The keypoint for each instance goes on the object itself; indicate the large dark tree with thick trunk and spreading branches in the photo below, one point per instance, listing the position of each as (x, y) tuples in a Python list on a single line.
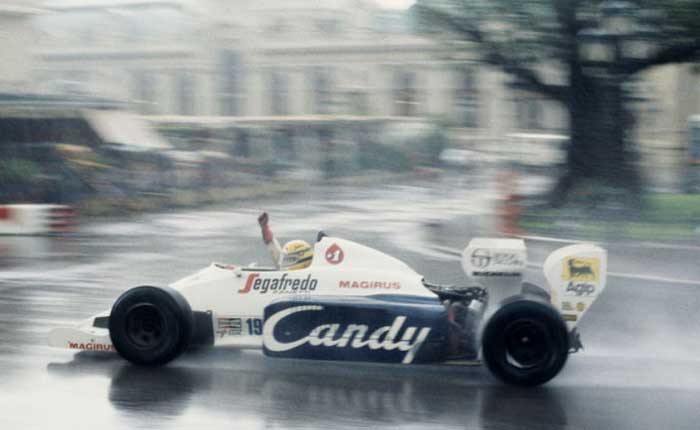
[(524, 38)]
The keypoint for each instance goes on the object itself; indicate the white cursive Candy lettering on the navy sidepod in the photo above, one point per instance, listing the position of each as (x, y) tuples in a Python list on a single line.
[(350, 336)]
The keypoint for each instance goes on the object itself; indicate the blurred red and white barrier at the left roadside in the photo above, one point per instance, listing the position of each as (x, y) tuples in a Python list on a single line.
[(30, 219)]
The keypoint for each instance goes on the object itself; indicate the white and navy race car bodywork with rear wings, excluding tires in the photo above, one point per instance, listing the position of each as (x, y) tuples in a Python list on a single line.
[(356, 303)]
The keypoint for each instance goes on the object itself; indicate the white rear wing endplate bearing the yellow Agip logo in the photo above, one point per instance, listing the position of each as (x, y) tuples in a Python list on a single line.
[(576, 275)]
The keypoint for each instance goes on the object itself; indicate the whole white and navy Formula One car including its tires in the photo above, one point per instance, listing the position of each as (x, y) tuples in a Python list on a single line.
[(354, 303)]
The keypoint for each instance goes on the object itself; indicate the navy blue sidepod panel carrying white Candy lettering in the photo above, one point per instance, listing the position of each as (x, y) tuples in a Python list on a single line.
[(380, 328)]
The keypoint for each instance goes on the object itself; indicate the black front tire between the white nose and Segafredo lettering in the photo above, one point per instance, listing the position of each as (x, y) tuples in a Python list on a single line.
[(151, 325)]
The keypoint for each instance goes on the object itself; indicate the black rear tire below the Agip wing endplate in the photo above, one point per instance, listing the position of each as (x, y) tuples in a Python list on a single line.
[(525, 342)]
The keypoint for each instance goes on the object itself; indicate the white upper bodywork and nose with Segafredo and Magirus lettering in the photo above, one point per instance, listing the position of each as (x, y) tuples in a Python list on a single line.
[(236, 295)]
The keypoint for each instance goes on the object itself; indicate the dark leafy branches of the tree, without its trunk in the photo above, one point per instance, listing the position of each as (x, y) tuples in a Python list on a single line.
[(520, 35)]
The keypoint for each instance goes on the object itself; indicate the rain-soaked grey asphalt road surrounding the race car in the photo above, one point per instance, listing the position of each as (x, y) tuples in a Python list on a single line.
[(640, 369)]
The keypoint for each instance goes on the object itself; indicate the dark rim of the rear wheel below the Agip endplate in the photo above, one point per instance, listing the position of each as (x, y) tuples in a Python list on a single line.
[(527, 344)]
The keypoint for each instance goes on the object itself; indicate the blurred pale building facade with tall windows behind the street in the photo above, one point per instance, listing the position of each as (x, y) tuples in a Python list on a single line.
[(295, 58)]
